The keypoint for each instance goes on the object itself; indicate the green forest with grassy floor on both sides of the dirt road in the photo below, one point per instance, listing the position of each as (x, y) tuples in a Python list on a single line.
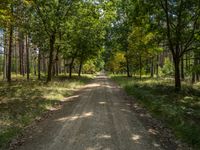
[(150, 48)]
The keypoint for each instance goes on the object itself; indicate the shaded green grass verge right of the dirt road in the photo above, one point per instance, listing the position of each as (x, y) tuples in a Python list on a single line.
[(180, 111)]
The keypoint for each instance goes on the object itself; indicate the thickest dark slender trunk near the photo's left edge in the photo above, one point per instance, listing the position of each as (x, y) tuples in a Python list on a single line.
[(10, 54)]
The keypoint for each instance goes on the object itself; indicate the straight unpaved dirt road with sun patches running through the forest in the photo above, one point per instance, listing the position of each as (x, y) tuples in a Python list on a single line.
[(97, 118)]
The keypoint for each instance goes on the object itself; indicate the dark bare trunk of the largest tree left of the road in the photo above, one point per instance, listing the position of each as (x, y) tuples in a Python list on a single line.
[(52, 42)]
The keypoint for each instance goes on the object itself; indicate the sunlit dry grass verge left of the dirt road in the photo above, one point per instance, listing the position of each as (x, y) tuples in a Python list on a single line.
[(21, 102)]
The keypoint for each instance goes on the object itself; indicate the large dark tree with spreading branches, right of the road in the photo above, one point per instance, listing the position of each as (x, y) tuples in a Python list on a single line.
[(182, 19)]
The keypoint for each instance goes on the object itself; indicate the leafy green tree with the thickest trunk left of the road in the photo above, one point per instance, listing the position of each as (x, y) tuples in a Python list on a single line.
[(52, 15)]
